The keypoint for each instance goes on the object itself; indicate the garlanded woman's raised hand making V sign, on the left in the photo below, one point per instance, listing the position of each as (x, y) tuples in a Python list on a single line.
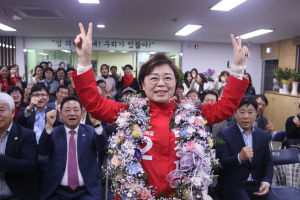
[(83, 43)]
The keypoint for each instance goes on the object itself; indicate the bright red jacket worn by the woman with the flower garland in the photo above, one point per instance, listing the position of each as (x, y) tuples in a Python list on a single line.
[(159, 153)]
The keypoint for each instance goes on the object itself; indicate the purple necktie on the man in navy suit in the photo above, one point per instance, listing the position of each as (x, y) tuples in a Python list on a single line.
[(73, 180)]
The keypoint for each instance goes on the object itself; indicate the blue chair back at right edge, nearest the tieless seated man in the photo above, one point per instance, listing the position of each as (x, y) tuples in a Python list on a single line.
[(285, 156)]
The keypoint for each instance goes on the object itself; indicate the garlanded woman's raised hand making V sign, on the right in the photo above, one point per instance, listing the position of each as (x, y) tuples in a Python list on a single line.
[(239, 52)]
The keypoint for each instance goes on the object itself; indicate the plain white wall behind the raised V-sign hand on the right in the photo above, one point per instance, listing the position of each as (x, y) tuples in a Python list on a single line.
[(216, 55)]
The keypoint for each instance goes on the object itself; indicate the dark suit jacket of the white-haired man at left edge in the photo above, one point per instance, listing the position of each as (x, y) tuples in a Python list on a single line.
[(19, 163)]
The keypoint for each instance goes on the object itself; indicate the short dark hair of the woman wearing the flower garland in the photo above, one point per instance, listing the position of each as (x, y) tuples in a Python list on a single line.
[(155, 61)]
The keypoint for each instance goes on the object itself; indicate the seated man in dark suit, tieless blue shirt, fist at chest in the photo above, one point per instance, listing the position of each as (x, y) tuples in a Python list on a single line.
[(247, 168)]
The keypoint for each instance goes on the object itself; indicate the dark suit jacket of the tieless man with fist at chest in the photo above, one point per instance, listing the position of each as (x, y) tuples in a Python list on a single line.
[(233, 173)]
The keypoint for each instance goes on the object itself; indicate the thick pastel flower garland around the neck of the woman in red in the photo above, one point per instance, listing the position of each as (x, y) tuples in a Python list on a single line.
[(196, 158)]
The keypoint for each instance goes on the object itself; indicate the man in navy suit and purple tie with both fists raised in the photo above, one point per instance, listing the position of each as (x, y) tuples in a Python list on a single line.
[(72, 171)]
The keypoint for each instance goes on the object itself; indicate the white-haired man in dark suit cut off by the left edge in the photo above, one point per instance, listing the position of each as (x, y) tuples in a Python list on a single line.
[(18, 156)]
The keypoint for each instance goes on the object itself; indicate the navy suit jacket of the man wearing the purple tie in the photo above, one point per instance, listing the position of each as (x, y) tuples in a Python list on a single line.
[(55, 145)]
